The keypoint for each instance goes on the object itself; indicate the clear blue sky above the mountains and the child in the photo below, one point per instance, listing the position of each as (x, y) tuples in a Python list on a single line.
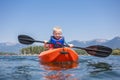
[(79, 19)]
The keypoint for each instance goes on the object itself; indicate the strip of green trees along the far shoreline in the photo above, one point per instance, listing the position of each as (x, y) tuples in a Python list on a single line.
[(35, 50)]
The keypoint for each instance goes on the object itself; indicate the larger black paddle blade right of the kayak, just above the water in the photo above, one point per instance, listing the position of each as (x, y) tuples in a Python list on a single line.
[(99, 51)]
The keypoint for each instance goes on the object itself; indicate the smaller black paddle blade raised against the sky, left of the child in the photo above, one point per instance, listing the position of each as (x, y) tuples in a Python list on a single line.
[(24, 39)]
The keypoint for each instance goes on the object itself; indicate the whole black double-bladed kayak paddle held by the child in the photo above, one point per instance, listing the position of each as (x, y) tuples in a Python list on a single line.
[(95, 50)]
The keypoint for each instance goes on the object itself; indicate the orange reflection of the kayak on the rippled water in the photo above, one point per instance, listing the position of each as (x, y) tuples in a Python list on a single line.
[(55, 71)]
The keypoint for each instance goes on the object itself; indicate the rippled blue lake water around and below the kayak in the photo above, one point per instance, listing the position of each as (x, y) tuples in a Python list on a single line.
[(88, 68)]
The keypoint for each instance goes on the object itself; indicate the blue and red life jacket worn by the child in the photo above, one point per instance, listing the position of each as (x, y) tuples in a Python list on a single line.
[(56, 43)]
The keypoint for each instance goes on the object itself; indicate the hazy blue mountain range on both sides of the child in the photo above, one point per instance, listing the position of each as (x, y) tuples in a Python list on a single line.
[(113, 43)]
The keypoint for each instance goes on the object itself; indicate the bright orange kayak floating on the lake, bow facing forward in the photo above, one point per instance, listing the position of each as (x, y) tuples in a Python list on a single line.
[(58, 55)]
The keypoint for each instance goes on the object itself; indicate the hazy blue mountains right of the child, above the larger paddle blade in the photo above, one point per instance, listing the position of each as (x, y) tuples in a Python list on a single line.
[(113, 43)]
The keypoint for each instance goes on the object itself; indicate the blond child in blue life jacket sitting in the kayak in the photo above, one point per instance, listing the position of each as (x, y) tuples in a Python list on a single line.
[(56, 40)]
